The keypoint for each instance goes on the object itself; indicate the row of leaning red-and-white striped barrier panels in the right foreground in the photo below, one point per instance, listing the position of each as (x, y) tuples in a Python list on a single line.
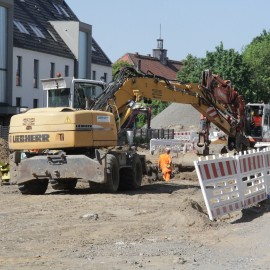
[(233, 183)]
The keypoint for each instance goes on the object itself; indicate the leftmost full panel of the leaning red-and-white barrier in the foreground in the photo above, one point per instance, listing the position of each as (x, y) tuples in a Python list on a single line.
[(219, 183)]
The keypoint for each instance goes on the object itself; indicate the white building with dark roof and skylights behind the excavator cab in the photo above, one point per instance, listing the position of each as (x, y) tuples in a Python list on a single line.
[(39, 39)]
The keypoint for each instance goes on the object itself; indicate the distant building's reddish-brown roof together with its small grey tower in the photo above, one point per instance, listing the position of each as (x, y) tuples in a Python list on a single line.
[(158, 64)]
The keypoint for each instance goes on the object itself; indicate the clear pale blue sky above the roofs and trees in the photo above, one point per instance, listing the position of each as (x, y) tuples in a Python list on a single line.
[(187, 26)]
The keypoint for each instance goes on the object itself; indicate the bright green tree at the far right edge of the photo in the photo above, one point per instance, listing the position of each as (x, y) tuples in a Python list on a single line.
[(257, 56)]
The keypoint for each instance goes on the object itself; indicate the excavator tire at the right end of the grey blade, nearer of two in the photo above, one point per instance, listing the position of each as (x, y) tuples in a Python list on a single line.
[(112, 168)]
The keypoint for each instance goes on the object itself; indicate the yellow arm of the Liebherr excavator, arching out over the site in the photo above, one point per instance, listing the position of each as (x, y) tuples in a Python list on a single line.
[(213, 97)]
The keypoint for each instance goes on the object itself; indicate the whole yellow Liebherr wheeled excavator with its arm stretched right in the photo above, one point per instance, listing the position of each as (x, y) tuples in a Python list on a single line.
[(76, 136)]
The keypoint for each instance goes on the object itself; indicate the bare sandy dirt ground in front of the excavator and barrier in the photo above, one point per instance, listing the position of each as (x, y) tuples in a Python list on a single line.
[(160, 226)]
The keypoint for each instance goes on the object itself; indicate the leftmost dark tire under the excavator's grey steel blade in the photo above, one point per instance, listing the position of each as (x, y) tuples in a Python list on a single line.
[(34, 187)]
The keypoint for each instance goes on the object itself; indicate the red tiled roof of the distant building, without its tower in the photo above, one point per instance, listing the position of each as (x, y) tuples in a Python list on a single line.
[(152, 64)]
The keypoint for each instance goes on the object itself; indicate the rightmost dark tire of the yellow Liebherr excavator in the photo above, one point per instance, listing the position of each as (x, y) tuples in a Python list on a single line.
[(131, 178)]
